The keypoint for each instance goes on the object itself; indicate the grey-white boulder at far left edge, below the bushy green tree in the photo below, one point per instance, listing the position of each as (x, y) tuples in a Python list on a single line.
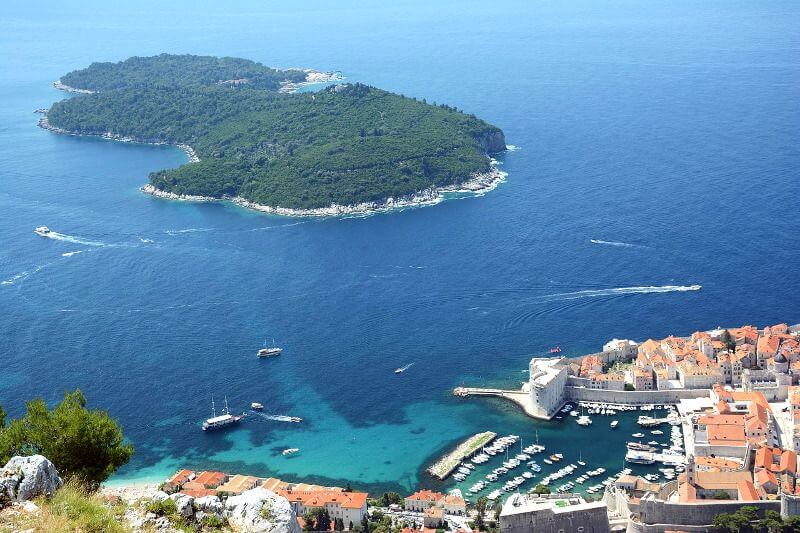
[(24, 478)]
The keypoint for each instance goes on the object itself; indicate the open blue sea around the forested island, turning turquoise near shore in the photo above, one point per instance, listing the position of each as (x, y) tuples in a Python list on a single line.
[(657, 148)]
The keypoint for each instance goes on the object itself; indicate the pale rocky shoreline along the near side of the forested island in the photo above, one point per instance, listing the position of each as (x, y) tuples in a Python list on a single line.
[(478, 184)]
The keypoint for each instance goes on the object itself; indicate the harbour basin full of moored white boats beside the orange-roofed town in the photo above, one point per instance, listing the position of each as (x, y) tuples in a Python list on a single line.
[(523, 460)]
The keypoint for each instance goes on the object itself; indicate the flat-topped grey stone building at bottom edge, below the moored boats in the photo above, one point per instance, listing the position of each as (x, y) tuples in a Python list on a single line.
[(552, 513)]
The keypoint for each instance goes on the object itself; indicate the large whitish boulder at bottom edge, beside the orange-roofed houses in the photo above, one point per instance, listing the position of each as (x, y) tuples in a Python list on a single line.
[(260, 510)]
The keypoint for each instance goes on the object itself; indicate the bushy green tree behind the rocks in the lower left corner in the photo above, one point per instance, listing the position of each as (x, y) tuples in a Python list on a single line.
[(85, 444)]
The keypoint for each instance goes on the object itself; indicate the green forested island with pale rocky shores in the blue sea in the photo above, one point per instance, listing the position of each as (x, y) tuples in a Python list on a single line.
[(345, 148)]
